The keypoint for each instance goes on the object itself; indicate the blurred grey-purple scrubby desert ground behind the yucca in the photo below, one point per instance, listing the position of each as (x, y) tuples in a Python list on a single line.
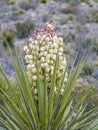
[(76, 22)]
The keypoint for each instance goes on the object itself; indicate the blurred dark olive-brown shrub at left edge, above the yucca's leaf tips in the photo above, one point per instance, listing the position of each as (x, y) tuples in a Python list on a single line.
[(7, 38)]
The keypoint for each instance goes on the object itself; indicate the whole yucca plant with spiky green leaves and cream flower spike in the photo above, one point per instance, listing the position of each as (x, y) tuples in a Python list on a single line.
[(42, 105)]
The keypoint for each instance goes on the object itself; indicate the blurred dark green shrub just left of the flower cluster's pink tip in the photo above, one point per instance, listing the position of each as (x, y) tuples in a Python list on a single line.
[(24, 29)]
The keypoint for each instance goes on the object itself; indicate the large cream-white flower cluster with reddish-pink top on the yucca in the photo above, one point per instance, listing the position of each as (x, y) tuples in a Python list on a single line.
[(45, 45)]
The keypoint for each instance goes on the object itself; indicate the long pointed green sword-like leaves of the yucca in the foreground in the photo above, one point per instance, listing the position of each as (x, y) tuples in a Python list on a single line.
[(50, 112)]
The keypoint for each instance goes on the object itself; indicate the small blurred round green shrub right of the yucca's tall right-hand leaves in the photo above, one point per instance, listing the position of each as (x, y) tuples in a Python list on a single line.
[(87, 69)]
